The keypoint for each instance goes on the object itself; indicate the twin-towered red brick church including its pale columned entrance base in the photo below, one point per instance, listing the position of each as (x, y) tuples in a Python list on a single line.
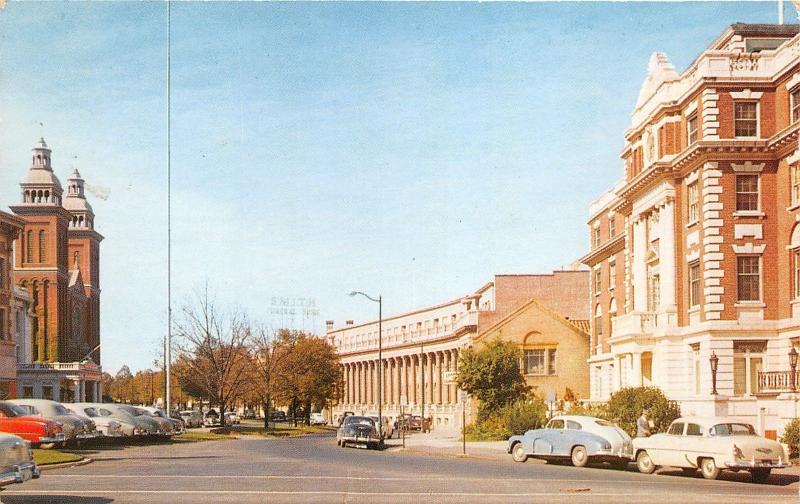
[(57, 262)]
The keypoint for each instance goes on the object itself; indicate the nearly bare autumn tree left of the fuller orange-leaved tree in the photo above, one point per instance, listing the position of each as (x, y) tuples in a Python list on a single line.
[(213, 348)]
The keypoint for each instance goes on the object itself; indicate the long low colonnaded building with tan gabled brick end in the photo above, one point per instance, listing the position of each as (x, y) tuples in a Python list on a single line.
[(547, 315)]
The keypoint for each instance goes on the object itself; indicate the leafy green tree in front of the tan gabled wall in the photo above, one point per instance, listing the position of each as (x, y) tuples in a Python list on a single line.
[(492, 375)]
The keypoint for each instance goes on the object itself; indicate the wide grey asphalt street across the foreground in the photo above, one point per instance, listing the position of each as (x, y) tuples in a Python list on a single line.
[(314, 469)]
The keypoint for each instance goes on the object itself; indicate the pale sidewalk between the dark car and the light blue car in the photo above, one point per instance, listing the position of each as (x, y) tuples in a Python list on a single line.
[(431, 443)]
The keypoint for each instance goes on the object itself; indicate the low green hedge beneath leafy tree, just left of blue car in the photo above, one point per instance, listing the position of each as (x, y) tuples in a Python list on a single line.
[(515, 418)]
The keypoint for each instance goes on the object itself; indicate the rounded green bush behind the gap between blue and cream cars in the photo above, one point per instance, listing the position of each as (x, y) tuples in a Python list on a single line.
[(626, 405)]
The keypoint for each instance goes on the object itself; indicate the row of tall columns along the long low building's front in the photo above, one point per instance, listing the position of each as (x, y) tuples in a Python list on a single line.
[(402, 376)]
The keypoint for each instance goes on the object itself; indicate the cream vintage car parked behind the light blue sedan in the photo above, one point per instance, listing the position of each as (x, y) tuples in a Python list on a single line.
[(711, 445)]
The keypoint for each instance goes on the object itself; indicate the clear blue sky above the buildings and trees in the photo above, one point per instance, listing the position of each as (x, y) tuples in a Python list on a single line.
[(407, 149)]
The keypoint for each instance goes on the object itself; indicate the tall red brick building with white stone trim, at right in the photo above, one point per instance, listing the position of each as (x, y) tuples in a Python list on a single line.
[(696, 251)]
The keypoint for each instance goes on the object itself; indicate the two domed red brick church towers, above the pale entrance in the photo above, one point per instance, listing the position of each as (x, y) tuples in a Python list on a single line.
[(57, 261)]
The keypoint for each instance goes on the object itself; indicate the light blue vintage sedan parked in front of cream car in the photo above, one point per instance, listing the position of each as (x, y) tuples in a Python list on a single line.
[(580, 439)]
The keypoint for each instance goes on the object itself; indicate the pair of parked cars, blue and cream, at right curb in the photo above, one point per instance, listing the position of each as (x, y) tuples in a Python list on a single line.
[(710, 445)]
